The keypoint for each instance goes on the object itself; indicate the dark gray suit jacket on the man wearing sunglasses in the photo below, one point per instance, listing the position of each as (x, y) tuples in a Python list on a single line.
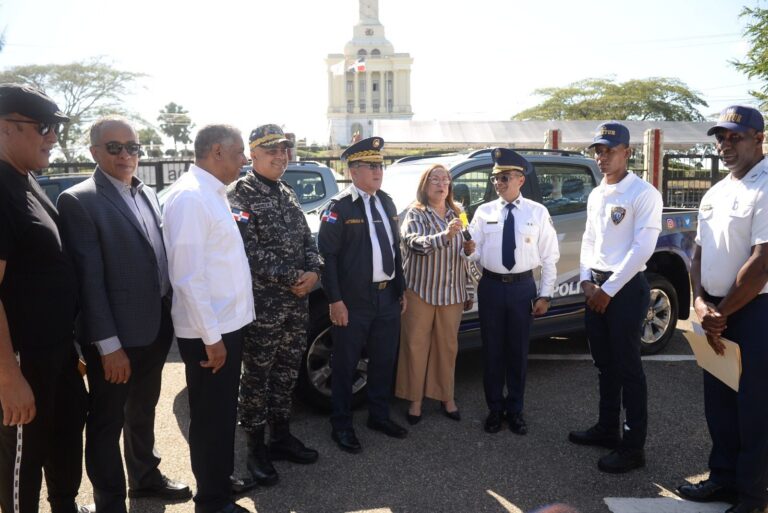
[(115, 263)]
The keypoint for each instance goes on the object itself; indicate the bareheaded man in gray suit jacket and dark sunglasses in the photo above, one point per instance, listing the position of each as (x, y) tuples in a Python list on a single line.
[(111, 225)]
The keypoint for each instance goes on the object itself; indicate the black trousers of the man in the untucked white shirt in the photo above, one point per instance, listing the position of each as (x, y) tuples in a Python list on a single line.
[(213, 414)]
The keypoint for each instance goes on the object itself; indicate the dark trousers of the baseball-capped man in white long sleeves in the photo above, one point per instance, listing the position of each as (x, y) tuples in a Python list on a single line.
[(614, 341)]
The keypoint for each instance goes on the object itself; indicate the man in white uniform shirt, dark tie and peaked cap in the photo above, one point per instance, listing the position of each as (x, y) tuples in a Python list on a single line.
[(513, 236)]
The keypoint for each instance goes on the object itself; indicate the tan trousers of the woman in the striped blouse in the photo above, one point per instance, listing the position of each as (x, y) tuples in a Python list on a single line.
[(428, 347)]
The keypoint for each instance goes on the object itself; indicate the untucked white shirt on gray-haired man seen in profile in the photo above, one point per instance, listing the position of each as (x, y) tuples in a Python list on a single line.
[(206, 260)]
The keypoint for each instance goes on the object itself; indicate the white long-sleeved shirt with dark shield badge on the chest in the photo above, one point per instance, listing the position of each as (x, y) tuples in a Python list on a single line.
[(623, 225)]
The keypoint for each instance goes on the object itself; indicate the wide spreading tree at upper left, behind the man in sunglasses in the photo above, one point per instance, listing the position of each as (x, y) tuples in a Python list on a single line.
[(84, 90)]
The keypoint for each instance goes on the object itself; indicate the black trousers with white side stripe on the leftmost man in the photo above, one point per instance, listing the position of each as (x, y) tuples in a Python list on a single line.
[(52, 441)]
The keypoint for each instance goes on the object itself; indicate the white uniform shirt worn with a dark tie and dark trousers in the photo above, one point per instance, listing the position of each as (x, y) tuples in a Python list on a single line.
[(535, 240)]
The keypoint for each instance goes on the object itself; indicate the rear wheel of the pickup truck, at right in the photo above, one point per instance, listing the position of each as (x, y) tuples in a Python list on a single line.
[(661, 319)]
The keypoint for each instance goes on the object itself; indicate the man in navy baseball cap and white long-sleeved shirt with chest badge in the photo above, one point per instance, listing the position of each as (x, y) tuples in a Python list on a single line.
[(623, 224)]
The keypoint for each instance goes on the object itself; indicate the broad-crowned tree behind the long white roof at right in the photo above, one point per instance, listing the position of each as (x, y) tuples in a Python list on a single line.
[(655, 98)]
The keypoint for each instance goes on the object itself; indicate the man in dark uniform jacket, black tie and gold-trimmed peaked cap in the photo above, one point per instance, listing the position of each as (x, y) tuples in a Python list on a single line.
[(363, 281)]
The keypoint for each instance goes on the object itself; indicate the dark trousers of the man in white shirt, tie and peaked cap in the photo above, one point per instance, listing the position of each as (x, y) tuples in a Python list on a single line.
[(505, 327)]
